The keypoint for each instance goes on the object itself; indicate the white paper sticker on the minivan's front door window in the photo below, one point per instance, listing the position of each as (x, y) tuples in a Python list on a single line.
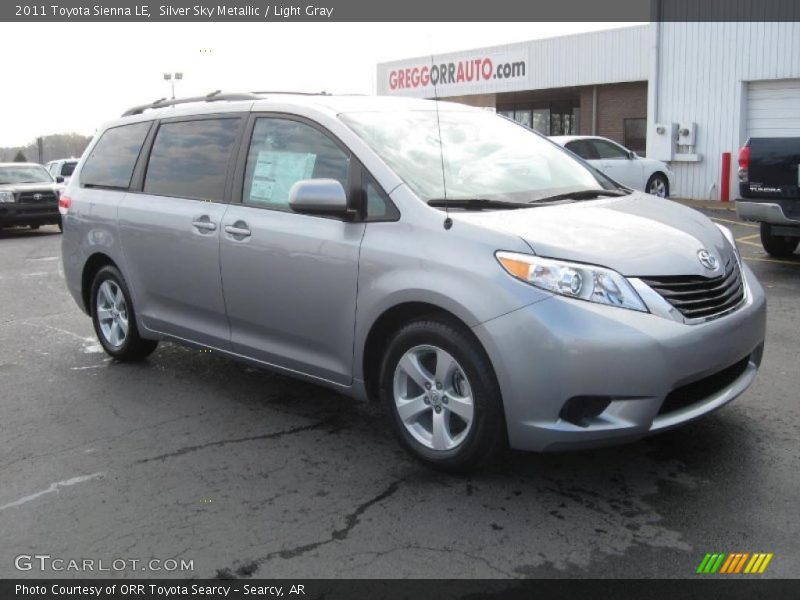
[(276, 172)]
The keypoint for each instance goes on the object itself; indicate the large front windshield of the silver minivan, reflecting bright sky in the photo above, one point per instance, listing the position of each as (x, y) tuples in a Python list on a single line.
[(483, 156)]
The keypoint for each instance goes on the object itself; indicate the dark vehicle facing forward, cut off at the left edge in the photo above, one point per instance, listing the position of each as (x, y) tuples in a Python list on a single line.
[(28, 196)]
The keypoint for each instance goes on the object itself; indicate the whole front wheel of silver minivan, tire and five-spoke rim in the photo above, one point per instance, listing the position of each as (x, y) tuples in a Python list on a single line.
[(440, 389)]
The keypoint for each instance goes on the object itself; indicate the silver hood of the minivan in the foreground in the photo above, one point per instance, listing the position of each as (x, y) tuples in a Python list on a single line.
[(636, 235)]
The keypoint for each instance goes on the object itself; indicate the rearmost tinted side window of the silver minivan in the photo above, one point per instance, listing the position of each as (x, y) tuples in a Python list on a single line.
[(113, 157)]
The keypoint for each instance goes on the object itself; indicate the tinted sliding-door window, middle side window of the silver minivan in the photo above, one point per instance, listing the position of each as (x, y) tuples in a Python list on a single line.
[(190, 159)]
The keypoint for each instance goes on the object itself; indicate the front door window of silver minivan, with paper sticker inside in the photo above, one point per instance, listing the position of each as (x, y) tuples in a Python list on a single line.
[(283, 152)]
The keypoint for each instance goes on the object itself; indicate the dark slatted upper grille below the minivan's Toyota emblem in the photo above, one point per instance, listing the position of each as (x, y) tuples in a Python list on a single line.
[(698, 297)]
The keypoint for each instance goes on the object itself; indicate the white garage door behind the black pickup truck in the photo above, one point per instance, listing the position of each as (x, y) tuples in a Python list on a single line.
[(773, 108)]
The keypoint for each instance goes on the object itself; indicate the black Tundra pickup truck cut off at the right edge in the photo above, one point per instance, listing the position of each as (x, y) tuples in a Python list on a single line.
[(769, 184)]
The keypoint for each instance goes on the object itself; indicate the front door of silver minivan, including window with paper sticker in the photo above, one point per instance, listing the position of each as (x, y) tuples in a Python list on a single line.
[(290, 280)]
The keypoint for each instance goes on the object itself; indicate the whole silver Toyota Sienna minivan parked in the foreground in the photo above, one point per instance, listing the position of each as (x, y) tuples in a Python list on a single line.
[(490, 287)]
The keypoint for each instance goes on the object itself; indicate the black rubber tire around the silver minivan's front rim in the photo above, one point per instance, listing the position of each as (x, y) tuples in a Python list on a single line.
[(487, 433)]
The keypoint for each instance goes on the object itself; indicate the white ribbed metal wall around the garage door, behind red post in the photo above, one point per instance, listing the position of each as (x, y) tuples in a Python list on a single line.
[(700, 75)]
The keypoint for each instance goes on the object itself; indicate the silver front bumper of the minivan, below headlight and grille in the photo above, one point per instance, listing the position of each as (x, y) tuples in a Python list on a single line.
[(558, 349)]
